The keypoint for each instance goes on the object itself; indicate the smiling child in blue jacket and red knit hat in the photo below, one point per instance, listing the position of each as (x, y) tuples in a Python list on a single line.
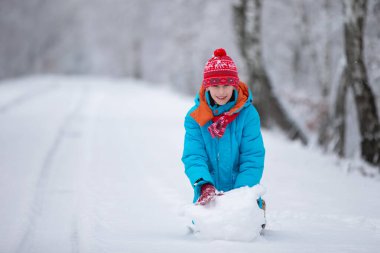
[(223, 147)]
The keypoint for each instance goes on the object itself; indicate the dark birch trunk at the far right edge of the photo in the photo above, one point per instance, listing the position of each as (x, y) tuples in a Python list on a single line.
[(369, 126)]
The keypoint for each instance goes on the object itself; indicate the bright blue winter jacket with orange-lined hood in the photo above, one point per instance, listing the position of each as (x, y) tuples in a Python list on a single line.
[(232, 161)]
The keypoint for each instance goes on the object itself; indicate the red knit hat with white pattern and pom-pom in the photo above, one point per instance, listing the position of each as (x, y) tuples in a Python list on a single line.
[(220, 70)]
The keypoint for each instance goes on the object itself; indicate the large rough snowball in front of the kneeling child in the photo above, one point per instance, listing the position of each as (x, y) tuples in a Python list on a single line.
[(232, 216)]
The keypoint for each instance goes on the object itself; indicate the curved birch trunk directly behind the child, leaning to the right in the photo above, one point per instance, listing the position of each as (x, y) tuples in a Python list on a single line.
[(247, 18)]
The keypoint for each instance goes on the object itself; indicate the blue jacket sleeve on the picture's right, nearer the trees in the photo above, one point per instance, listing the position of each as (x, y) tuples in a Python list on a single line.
[(252, 152)]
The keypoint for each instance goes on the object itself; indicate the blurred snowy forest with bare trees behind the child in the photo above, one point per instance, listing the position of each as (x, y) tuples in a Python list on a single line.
[(297, 55)]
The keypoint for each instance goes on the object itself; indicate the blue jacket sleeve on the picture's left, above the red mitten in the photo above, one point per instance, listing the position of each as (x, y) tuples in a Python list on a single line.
[(195, 157)]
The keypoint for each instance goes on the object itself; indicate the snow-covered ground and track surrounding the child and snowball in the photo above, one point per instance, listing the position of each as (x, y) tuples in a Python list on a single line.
[(93, 165)]
